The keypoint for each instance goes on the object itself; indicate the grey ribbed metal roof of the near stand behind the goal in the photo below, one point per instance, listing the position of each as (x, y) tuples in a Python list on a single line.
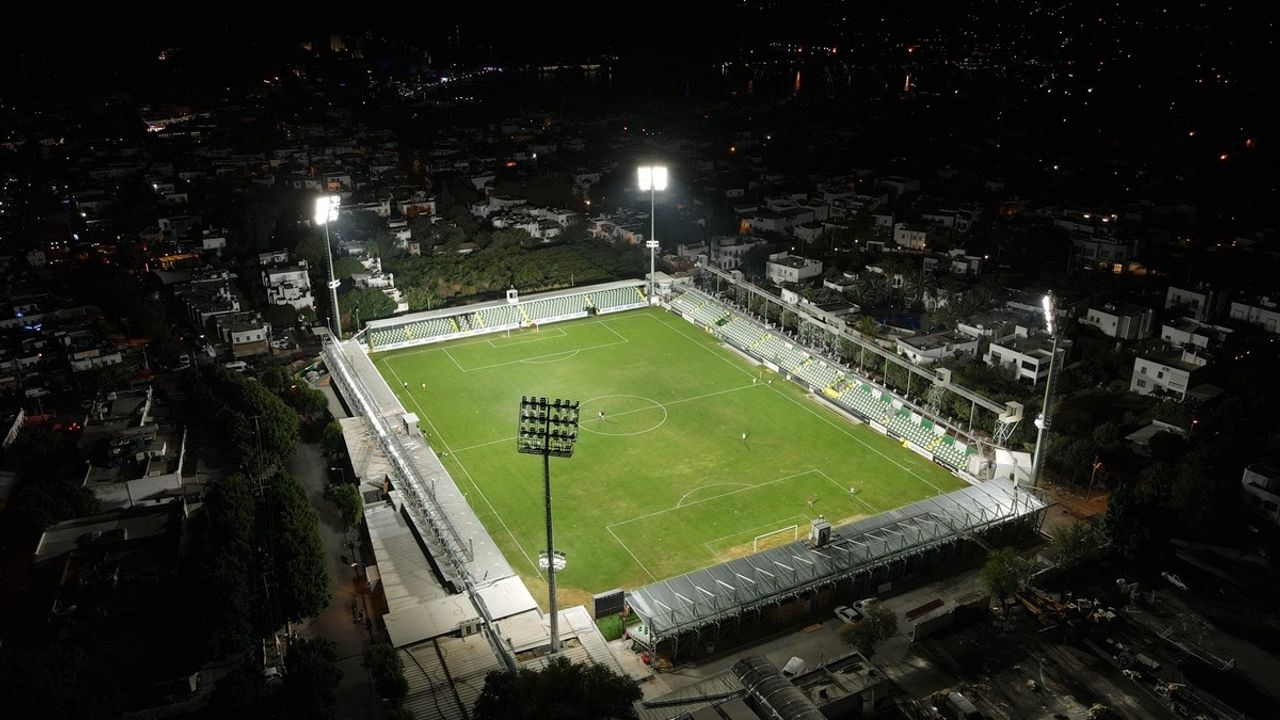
[(671, 608)]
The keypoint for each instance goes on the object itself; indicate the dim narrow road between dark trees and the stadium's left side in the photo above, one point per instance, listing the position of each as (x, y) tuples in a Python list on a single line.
[(354, 695)]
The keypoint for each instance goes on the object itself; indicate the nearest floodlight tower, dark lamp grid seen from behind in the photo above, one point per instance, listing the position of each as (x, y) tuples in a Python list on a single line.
[(548, 429)]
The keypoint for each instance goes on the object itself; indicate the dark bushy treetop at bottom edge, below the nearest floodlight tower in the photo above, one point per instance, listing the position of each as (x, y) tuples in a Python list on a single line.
[(563, 691)]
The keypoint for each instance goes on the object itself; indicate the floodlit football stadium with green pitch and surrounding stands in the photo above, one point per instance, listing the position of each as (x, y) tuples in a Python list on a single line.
[(732, 475)]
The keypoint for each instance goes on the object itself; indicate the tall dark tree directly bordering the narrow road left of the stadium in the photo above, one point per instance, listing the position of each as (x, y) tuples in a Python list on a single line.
[(299, 554)]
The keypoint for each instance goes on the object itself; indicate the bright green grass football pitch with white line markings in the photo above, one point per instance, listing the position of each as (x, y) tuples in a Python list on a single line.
[(665, 484)]
